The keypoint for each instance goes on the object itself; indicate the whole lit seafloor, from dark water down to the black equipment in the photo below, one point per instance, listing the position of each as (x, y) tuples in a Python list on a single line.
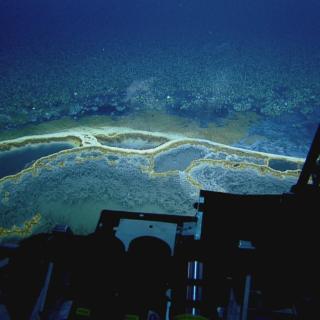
[(145, 128)]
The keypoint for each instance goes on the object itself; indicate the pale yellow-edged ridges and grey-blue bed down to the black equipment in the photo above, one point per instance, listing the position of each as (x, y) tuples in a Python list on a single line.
[(159, 173)]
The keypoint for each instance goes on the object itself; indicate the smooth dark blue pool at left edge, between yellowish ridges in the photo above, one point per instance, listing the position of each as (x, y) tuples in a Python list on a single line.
[(13, 161)]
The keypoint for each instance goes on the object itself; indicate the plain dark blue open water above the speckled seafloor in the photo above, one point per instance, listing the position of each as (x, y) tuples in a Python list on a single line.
[(50, 23)]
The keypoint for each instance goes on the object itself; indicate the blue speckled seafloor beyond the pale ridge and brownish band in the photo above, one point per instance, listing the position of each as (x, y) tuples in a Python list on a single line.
[(207, 81)]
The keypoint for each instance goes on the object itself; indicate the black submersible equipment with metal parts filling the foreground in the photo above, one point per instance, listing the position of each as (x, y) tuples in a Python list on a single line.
[(241, 257)]
